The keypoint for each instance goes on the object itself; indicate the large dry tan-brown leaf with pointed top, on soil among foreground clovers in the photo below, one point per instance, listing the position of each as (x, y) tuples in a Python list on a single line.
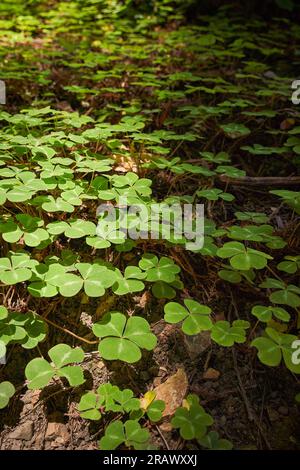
[(172, 391)]
